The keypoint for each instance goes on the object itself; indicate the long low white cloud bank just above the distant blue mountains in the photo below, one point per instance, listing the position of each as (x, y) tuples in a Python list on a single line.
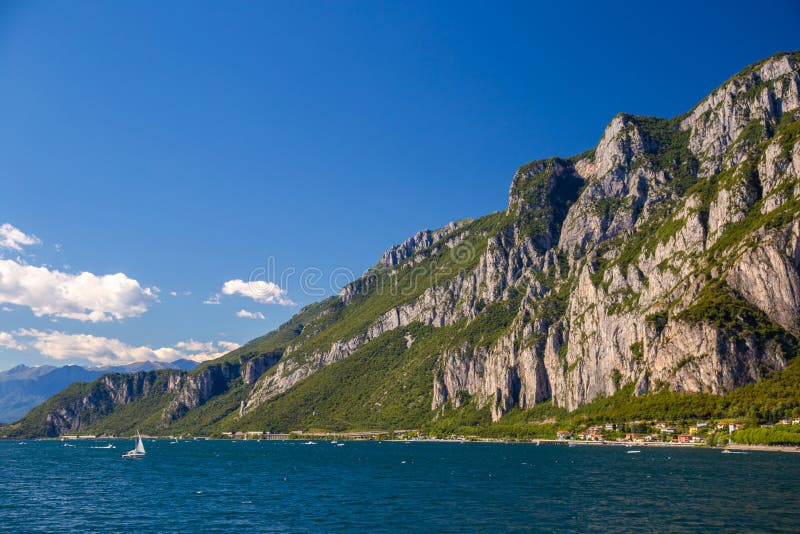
[(109, 351)]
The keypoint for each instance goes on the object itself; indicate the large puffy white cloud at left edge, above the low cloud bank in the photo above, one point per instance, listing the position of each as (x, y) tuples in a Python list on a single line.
[(84, 296)]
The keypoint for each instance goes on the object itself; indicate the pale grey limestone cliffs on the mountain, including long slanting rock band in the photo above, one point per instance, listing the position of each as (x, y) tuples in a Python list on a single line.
[(614, 252)]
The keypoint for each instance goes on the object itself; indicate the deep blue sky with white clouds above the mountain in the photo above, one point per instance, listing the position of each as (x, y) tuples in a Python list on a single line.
[(184, 144)]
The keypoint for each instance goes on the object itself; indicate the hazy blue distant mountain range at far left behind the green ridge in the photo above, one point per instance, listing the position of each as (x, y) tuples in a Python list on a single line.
[(23, 387)]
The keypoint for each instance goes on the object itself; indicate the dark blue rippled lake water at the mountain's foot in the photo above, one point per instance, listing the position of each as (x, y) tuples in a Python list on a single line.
[(289, 486)]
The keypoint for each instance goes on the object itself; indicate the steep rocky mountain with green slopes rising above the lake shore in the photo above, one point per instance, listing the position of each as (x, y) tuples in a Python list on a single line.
[(665, 259)]
